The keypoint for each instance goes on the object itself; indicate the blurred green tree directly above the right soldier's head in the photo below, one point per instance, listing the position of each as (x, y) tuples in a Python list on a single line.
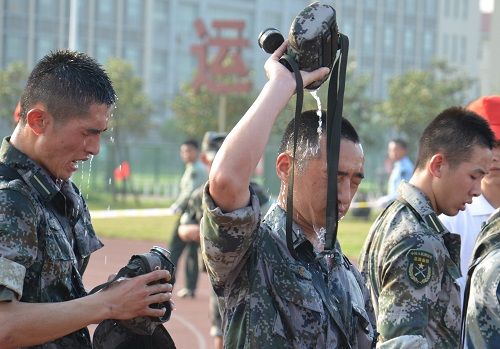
[(416, 97)]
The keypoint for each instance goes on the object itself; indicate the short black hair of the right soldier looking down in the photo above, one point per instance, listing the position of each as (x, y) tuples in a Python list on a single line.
[(454, 132)]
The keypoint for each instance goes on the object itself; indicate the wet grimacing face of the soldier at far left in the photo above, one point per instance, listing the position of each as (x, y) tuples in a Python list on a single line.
[(63, 144)]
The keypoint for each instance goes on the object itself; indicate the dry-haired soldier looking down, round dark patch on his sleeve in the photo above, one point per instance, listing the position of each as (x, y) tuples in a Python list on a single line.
[(410, 261)]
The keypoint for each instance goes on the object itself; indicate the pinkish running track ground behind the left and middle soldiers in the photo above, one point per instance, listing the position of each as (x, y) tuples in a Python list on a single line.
[(189, 325)]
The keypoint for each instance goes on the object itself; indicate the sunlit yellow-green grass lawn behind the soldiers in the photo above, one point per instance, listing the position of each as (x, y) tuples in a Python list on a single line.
[(351, 233)]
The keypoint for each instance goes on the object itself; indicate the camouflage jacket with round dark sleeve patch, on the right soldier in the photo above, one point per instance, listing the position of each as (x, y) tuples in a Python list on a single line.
[(410, 262)]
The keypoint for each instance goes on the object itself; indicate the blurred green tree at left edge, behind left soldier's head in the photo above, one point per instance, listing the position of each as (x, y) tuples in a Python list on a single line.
[(12, 81)]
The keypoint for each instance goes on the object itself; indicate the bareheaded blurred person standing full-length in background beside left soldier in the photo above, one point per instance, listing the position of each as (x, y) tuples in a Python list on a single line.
[(194, 176)]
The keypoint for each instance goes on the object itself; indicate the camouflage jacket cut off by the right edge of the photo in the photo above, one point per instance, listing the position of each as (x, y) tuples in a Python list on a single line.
[(483, 309)]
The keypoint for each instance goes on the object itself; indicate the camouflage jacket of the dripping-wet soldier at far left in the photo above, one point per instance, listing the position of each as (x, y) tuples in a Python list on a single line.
[(46, 238)]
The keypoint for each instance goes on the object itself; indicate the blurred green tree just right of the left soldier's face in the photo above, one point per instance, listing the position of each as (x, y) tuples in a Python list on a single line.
[(131, 117)]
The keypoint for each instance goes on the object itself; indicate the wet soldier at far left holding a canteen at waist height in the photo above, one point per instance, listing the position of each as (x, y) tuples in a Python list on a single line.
[(46, 236)]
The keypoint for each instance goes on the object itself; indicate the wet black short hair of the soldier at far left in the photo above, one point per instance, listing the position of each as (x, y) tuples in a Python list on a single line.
[(67, 83)]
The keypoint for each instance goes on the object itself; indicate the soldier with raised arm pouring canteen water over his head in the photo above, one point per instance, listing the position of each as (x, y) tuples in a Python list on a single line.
[(269, 298)]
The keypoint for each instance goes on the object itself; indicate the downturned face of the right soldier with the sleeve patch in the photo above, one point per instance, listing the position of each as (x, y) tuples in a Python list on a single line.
[(455, 186)]
